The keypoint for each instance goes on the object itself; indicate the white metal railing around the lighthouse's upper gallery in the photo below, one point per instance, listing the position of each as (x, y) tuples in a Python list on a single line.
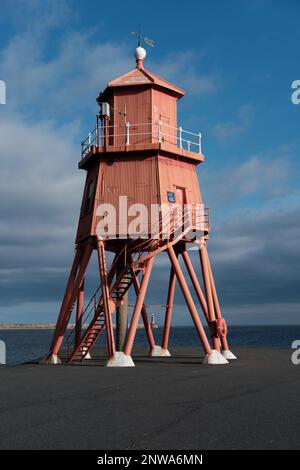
[(129, 133)]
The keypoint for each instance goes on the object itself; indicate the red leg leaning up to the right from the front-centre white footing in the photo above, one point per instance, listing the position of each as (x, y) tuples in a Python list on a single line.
[(138, 308)]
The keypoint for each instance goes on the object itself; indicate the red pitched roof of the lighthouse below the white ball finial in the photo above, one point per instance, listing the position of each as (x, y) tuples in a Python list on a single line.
[(141, 76)]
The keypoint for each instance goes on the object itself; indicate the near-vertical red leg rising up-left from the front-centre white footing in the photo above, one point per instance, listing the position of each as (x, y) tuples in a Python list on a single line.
[(106, 301)]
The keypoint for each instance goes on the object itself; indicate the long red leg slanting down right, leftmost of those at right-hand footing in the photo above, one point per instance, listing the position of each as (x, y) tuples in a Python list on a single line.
[(189, 300)]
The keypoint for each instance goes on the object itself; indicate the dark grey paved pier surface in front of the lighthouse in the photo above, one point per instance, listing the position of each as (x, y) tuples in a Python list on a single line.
[(166, 403)]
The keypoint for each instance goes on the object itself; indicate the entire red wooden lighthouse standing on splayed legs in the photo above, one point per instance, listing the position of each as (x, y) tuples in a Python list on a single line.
[(141, 198)]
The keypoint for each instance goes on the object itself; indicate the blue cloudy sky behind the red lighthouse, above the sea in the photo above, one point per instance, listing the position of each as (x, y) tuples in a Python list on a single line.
[(236, 61)]
